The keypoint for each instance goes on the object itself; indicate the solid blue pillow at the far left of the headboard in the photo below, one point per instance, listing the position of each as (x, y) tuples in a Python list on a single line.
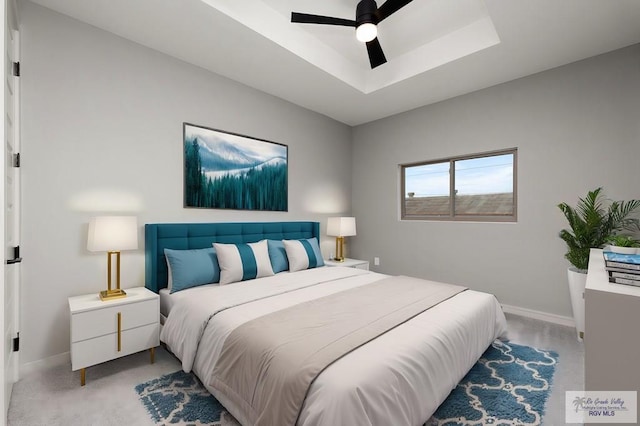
[(191, 268)]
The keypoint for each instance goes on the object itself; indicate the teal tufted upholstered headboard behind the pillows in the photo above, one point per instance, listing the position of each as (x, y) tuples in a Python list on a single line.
[(183, 236)]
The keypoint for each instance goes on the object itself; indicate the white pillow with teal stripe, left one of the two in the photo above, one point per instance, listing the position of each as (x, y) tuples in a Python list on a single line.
[(240, 262)]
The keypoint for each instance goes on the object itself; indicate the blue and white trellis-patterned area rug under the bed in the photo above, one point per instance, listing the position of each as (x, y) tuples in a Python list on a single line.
[(509, 385)]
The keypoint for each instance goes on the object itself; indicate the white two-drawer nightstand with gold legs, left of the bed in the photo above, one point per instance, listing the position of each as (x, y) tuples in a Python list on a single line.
[(102, 331)]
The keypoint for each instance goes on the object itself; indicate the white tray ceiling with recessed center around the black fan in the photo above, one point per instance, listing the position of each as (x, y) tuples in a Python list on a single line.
[(436, 49)]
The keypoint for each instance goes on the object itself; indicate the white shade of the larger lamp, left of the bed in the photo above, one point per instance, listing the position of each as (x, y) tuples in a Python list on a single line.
[(113, 233)]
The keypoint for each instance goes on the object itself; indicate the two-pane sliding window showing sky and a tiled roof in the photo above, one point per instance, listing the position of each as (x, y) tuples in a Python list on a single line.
[(479, 187)]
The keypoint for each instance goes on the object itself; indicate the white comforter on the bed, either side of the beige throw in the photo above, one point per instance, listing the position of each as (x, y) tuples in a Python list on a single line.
[(400, 378)]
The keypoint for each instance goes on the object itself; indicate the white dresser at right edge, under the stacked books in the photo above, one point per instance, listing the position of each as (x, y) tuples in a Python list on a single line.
[(612, 331)]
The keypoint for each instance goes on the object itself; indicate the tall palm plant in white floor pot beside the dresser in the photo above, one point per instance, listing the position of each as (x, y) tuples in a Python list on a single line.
[(592, 223)]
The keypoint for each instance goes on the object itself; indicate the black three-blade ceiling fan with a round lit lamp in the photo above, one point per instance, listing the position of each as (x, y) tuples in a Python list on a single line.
[(368, 16)]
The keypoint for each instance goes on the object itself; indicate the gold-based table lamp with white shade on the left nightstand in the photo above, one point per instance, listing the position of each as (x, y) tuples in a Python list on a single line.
[(113, 234)]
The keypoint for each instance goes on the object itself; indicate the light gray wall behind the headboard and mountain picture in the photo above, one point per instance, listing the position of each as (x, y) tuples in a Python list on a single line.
[(102, 133)]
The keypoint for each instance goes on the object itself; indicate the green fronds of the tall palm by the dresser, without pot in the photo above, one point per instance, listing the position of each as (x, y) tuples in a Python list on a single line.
[(592, 222)]
